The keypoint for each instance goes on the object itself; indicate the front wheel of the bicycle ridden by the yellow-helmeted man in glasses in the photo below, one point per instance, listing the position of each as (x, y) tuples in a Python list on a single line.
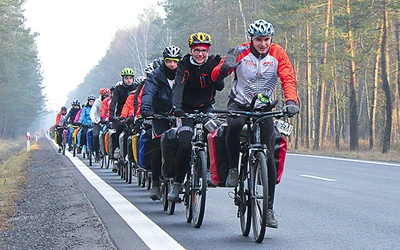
[(199, 188)]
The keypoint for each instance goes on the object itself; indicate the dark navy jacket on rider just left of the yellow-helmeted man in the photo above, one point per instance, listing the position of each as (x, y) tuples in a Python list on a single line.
[(157, 93)]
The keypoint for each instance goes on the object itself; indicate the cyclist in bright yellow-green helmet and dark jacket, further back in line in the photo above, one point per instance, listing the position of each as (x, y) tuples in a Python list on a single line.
[(120, 94)]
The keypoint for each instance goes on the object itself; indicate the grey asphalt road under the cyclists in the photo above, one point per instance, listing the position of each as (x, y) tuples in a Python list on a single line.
[(321, 203)]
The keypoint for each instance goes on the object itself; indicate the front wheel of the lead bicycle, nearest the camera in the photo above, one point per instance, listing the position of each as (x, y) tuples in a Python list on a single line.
[(259, 194)]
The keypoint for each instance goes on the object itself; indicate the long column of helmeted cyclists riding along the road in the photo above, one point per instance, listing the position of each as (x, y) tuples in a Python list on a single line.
[(179, 85)]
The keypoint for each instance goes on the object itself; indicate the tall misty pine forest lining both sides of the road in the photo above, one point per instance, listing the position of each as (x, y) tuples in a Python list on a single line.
[(346, 55)]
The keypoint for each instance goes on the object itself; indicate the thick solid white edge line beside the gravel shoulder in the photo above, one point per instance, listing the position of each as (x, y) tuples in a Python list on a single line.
[(151, 234)]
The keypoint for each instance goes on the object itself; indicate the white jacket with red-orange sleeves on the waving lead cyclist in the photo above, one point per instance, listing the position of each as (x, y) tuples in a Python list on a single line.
[(256, 75)]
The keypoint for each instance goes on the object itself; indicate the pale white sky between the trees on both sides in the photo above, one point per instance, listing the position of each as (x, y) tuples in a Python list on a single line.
[(73, 37)]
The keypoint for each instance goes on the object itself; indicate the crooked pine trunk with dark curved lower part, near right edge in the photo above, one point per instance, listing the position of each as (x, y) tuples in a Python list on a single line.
[(385, 82)]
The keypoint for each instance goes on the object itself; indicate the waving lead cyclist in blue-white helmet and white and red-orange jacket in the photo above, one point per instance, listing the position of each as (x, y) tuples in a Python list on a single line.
[(257, 65)]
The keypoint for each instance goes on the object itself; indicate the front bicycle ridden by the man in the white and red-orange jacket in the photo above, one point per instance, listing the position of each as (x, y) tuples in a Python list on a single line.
[(251, 194)]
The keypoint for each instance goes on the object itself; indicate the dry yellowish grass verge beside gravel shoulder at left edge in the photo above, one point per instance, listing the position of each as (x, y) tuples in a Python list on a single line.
[(12, 180)]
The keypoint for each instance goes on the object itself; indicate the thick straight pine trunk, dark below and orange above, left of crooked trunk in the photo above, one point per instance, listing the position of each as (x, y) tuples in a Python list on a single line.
[(353, 112)]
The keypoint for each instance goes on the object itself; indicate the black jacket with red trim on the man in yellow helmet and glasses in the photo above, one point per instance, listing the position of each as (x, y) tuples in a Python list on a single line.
[(193, 86)]
